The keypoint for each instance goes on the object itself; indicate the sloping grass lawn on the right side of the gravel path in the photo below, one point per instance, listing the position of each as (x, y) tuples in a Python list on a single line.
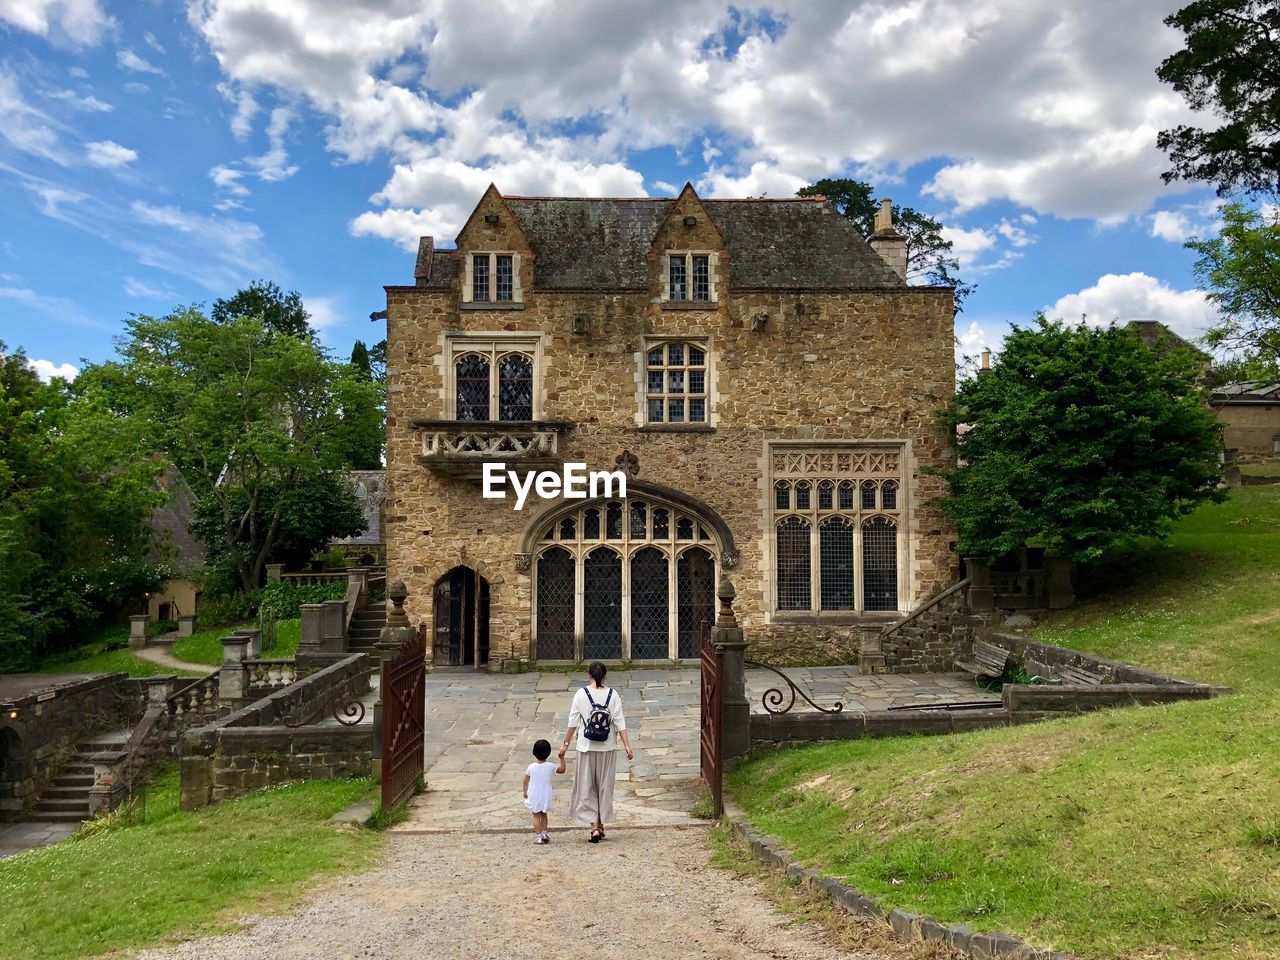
[(1126, 834)]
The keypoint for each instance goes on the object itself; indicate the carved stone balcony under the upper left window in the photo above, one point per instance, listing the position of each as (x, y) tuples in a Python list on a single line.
[(463, 447)]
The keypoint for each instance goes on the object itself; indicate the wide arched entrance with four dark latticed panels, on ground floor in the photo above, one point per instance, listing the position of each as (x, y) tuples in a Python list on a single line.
[(624, 580)]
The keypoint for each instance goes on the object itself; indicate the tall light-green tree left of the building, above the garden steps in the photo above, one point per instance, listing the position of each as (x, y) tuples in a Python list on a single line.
[(248, 415)]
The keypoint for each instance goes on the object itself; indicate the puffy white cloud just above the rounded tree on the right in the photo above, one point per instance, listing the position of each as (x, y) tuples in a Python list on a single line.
[(1137, 296)]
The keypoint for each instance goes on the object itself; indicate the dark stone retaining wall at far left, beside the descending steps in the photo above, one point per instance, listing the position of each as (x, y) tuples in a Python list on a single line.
[(40, 729)]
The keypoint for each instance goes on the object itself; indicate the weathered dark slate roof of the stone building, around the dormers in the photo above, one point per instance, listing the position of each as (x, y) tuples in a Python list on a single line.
[(600, 244)]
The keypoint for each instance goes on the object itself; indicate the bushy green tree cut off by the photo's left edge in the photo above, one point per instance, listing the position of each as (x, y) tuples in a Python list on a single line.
[(77, 487)]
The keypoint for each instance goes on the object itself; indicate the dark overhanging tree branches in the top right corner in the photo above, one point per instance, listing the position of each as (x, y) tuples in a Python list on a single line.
[(1231, 71)]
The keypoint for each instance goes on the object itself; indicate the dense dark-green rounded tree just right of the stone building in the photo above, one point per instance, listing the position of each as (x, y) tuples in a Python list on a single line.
[(1080, 440)]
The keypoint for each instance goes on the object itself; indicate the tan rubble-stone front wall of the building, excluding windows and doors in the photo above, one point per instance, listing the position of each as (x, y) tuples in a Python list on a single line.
[(848, 365)]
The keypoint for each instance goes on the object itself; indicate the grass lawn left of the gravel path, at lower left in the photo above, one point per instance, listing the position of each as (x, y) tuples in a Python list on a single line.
[(179, 875)]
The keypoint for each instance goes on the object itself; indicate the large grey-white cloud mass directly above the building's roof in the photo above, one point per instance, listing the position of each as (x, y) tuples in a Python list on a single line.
[(1052, 107)]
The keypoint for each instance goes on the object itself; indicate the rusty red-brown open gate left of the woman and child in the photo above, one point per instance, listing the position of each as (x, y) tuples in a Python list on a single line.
[(404, 692)]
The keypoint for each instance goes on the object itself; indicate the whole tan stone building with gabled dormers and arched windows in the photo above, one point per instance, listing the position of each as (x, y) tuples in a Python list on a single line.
[(765, 378)]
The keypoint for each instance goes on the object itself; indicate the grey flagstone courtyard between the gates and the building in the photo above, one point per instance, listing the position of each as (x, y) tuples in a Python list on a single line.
[(481, 730)]
